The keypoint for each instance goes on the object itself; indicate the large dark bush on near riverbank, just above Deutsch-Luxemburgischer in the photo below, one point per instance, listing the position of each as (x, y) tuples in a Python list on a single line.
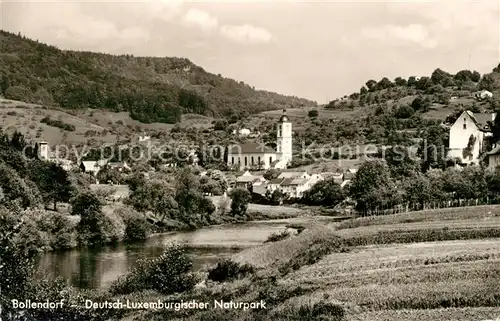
[(168, 274)]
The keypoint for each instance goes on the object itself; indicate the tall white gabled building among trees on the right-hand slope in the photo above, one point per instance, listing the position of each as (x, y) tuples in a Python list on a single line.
[(467, 136)]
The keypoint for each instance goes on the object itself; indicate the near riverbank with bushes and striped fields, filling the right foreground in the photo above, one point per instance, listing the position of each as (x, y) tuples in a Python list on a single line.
[(361, 269)]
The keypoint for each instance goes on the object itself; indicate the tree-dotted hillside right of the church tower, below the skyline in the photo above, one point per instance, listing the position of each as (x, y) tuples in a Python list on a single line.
[(385, 111)]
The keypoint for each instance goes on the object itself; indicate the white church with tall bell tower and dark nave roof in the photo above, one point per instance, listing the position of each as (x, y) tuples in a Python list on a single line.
[(259, 156)]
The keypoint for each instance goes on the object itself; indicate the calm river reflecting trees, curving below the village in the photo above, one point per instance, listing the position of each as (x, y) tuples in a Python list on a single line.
[(91, 269)]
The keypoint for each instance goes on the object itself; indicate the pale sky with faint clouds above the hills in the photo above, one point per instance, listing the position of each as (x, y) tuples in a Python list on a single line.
[(319, 50)]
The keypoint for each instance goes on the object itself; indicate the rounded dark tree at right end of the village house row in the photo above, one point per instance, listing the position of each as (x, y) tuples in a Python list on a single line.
[(326, 193)]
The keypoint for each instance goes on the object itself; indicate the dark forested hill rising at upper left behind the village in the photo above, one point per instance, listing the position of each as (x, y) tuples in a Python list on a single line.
[(151, 89)]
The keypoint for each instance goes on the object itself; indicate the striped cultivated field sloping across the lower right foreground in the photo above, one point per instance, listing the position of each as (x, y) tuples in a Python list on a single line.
[(395, 276)]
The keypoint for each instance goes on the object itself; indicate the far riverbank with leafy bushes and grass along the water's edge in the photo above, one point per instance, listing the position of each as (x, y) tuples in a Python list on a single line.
[(119, 224)]
